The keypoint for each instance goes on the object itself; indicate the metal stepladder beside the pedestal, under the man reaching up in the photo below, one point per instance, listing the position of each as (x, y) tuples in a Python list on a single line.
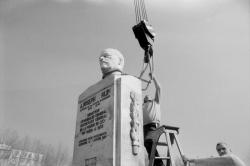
[(171, 139)]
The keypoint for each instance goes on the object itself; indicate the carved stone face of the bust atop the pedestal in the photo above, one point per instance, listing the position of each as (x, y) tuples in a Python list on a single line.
[(109, 62)]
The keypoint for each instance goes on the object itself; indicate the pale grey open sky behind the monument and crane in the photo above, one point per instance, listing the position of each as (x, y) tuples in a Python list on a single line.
[(49, 53)]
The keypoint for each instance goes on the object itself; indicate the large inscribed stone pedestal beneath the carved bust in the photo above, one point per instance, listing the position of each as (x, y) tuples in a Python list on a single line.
[(109, 127)]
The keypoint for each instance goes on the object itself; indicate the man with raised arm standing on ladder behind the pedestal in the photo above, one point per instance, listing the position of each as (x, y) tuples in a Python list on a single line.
[(151, 118)]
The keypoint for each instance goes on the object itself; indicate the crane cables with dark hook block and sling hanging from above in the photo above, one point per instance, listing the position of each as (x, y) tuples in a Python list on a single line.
[(145, 35)]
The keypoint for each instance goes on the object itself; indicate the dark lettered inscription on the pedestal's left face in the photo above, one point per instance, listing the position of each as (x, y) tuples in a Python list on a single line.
[(95, 114)]
